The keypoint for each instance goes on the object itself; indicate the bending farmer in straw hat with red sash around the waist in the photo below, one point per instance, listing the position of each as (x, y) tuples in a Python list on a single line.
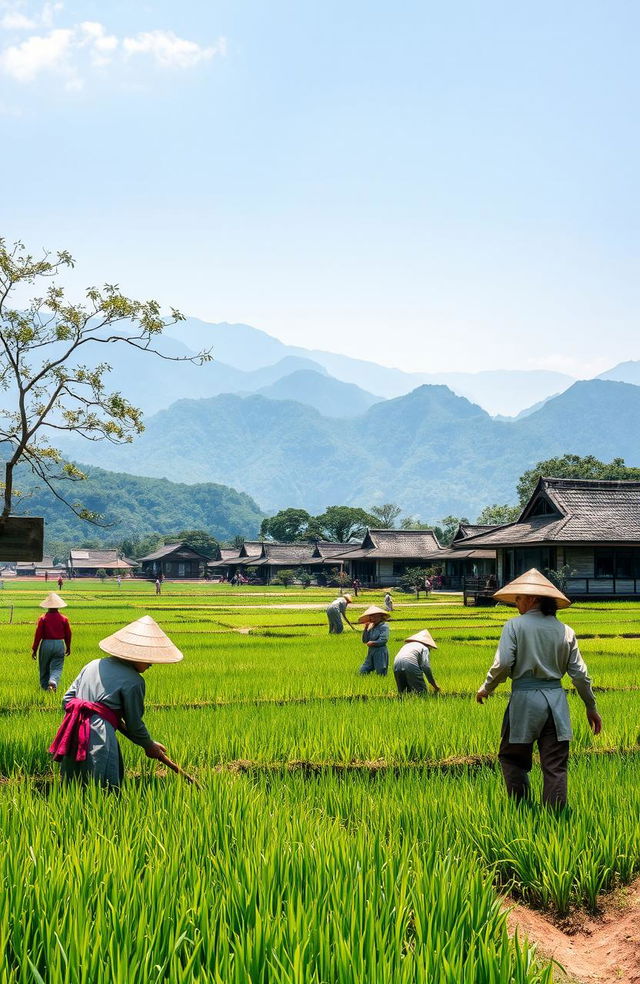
[(108, 695)]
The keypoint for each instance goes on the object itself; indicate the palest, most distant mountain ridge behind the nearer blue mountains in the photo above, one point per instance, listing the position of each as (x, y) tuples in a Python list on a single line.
[(247, 360)]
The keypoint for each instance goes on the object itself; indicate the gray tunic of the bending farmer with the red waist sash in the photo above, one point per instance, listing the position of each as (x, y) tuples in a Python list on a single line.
[(118, 685)]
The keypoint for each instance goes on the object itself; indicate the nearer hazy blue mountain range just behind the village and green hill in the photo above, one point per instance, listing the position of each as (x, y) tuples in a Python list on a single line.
[(430, 451)]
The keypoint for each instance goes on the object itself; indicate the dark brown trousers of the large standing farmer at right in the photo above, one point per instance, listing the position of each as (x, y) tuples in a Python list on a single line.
[(516, 761)]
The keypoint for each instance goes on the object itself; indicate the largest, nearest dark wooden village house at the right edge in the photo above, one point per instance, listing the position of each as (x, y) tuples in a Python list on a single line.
[(589, 527)]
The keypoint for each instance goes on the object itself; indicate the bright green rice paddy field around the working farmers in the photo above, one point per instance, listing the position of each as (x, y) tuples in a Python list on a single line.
[(338, 834)]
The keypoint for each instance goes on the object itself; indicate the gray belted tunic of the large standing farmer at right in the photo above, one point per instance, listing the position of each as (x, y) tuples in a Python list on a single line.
[(539, 647)]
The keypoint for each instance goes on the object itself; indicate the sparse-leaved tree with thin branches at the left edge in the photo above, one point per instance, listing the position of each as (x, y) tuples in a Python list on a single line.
[(46, 370)]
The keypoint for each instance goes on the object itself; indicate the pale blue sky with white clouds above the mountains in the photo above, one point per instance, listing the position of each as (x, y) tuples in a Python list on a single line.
[(433, 186)]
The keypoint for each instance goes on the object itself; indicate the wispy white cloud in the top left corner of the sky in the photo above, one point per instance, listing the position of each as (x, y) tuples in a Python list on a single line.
[(71, 52)]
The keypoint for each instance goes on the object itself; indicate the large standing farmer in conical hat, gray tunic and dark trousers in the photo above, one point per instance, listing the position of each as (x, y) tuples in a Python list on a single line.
[(536, 650)]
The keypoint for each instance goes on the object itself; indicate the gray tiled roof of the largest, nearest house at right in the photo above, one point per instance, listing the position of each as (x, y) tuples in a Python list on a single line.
[(588, 511)]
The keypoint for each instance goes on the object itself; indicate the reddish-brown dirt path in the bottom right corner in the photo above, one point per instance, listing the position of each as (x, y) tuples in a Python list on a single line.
[(602, 951)]
